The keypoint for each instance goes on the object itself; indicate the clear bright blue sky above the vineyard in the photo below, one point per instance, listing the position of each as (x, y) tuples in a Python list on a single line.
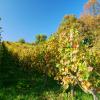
[(26, 18)]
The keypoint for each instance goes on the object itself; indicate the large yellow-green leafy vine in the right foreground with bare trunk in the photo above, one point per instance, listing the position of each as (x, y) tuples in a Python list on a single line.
[(73, 65)]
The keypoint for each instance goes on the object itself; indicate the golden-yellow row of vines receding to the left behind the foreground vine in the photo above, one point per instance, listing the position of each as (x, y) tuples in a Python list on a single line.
[(40, 57)]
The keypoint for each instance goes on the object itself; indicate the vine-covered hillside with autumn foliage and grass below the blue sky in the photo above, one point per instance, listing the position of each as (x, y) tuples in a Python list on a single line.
[(66, 66)]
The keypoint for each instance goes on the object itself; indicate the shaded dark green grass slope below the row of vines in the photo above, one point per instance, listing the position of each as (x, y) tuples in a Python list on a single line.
[(17, 83)]
